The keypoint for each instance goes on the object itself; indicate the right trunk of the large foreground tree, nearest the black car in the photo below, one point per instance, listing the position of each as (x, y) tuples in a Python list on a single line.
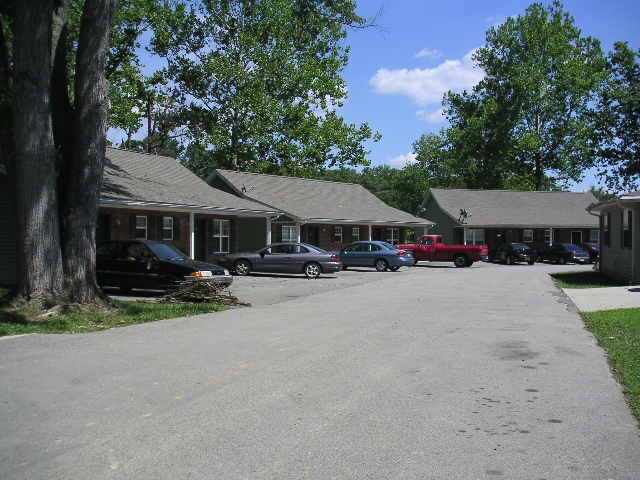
[(84, 172)]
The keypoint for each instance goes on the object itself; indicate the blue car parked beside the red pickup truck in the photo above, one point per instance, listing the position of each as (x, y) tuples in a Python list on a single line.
[(380, 255)]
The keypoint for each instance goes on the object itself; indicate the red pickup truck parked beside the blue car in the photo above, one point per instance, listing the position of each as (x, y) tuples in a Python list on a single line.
[(432, 248)]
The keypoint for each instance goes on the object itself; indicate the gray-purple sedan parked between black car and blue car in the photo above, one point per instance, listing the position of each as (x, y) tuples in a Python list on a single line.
[(288, 257)]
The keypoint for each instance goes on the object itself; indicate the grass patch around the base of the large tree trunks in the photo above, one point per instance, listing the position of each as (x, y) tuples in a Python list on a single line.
[(15, 322)]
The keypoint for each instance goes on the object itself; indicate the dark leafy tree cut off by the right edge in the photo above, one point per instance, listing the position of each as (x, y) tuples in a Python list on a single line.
[(618, 121)]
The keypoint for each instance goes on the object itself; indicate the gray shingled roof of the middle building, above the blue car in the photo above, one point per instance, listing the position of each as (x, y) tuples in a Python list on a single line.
[(318, 201)]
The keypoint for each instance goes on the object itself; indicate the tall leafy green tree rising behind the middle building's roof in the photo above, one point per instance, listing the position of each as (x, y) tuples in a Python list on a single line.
[(258, 83)]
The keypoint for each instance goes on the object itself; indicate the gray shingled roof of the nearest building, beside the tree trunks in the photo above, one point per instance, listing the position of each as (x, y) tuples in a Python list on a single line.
[(138, 179)]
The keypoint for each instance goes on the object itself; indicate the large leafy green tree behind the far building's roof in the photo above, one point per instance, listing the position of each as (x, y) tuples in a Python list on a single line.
[(527, 124)]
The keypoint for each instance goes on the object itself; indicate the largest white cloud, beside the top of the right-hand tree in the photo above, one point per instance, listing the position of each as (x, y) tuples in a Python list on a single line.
[(427, 85)]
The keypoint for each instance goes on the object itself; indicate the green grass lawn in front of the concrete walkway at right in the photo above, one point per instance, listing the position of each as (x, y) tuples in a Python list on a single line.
[(618, 331)]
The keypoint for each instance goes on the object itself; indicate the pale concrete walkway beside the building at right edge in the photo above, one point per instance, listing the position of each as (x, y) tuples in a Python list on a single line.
[(607, 298)]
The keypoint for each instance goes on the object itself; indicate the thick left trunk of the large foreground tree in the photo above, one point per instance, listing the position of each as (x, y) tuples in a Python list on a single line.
[(40, 259)]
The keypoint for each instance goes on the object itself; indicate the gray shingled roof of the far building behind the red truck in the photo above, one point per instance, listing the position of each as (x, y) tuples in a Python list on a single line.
[(517, 208)]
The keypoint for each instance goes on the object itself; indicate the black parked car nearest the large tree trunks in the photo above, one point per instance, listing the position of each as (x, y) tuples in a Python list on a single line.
[(150, 264)]
